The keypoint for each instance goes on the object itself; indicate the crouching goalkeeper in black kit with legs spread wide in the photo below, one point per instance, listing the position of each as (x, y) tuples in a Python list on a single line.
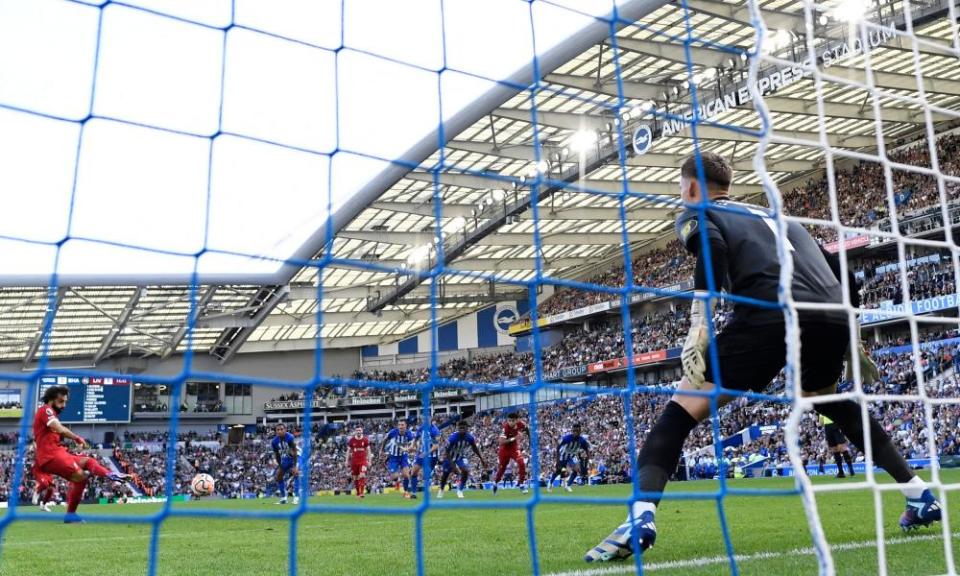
[(751, 349)]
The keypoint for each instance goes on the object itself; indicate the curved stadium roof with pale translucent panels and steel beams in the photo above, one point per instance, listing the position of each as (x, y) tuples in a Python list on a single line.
[(485, 176)]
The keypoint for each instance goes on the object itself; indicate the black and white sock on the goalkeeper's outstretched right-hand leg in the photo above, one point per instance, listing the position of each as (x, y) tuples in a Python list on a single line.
[(847, 415)]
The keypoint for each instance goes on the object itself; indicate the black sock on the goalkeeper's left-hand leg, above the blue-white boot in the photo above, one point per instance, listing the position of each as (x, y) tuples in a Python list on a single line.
[(661, 452)]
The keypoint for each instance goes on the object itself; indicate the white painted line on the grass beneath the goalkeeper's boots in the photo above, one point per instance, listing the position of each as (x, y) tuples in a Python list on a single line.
[(630, 567)]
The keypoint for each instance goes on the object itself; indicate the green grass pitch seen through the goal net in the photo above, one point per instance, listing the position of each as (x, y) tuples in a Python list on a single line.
[(769, 533)]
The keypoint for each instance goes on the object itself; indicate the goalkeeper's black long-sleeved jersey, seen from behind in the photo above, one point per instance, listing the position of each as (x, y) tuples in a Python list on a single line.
[(753, 267)]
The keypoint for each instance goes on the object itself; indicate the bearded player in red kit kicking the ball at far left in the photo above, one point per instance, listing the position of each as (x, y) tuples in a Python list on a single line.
[(52, 458)]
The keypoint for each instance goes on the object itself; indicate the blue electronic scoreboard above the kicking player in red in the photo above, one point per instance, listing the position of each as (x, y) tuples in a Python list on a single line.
[(93, 399)]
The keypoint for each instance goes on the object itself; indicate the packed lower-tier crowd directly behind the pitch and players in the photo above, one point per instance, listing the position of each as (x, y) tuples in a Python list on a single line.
[(248, 469)]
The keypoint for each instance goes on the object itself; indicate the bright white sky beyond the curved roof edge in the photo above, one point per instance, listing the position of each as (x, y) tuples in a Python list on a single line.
[(136, 140)]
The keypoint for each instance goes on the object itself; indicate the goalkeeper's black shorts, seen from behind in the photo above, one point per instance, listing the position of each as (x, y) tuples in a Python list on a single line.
[(750, 357)]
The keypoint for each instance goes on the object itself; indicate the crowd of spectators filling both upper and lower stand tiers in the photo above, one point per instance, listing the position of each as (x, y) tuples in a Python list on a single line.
[(245, 468)]
